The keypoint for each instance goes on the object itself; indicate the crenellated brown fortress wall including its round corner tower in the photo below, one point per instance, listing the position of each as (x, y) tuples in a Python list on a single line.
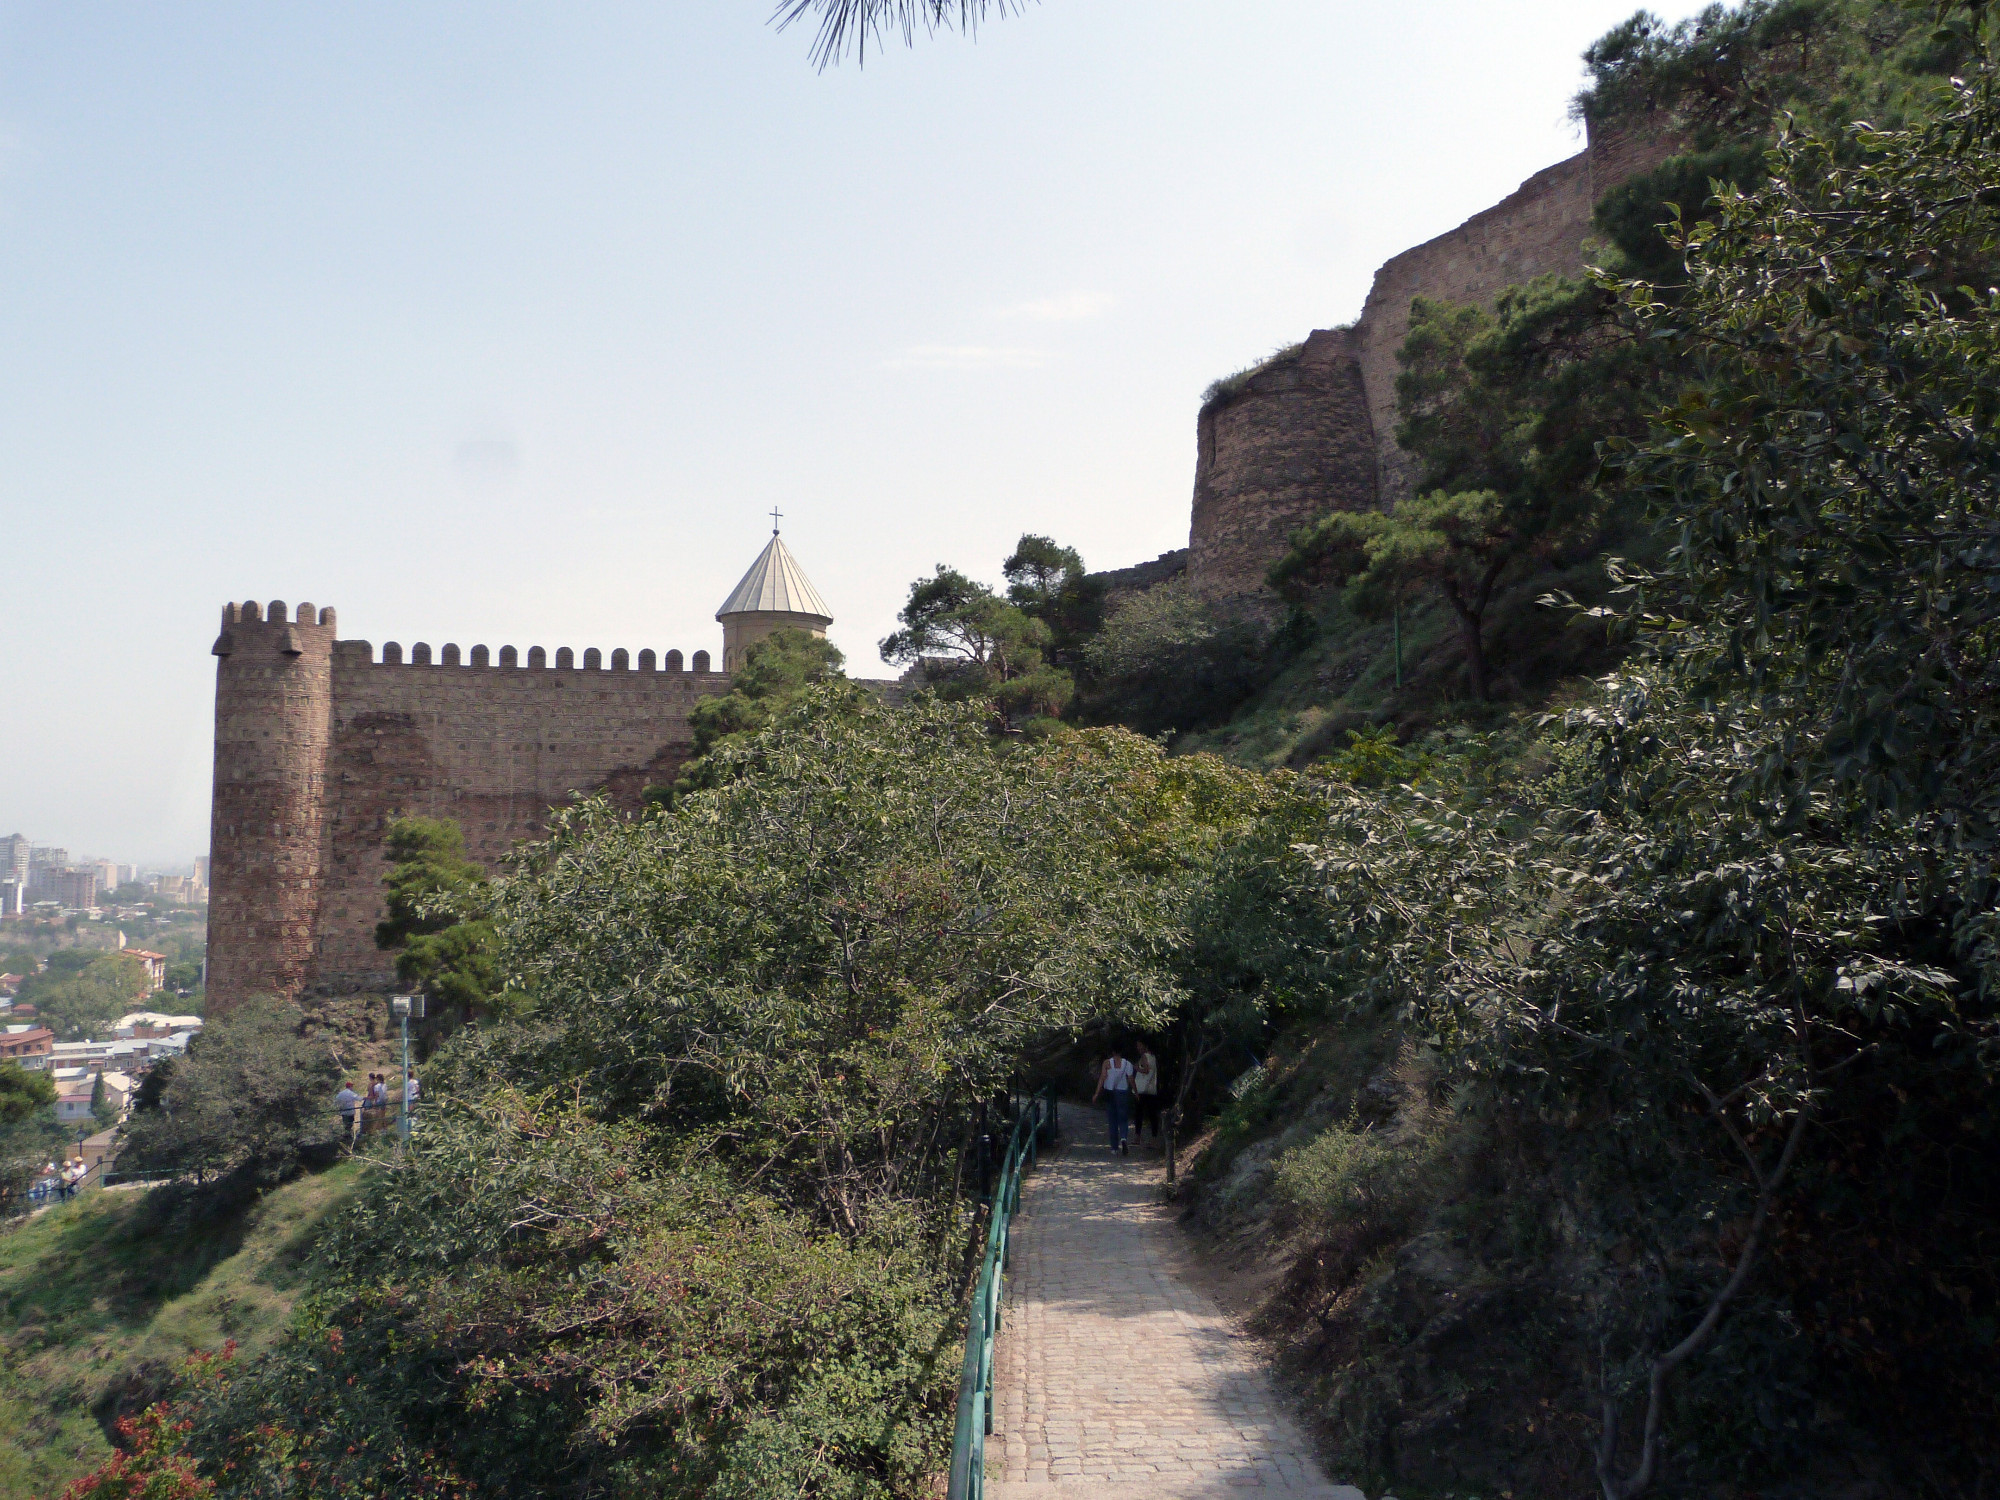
[(319, 747)]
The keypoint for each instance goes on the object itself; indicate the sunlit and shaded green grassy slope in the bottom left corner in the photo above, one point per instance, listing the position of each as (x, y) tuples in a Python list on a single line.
[(95, 1301)]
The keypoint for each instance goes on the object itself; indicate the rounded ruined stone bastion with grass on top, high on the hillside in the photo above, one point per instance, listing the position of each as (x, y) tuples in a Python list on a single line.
[(1271, 457)]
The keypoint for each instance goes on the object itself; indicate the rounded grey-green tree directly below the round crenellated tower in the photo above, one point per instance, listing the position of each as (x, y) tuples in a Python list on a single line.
[(243, 1109)]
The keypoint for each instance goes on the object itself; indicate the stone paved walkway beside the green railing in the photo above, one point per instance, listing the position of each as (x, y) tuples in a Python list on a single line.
[(1113, 1367)]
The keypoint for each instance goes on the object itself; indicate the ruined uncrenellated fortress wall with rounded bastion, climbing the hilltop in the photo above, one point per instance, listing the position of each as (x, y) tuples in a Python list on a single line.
[(1315, 429)]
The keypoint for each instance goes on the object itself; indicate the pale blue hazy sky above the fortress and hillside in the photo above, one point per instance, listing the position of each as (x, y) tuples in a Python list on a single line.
[(511, 323)]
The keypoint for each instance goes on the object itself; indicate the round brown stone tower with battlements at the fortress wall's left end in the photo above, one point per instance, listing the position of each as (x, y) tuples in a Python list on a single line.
[(275, 703)]
